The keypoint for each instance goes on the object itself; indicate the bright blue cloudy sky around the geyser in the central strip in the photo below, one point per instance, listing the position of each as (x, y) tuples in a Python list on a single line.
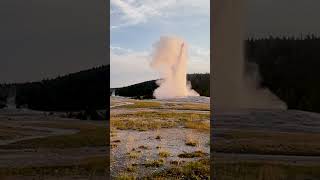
[(137, 24)]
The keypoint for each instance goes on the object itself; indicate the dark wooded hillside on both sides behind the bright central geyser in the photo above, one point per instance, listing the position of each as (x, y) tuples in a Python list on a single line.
[(199, 82)]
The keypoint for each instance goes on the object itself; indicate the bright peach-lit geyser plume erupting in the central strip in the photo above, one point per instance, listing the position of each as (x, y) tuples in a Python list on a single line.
[(170, 59)]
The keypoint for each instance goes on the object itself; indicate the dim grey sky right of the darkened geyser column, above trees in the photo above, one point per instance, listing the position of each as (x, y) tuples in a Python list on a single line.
[(283, 17)]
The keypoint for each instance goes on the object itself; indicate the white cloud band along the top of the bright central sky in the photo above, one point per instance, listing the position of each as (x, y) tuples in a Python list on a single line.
[(133, 12)]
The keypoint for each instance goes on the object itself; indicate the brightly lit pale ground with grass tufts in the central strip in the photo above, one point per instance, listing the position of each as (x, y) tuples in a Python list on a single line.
[(140, 149)]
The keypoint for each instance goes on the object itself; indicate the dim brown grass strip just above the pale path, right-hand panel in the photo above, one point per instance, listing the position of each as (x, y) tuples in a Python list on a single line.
[(262, 142)]
